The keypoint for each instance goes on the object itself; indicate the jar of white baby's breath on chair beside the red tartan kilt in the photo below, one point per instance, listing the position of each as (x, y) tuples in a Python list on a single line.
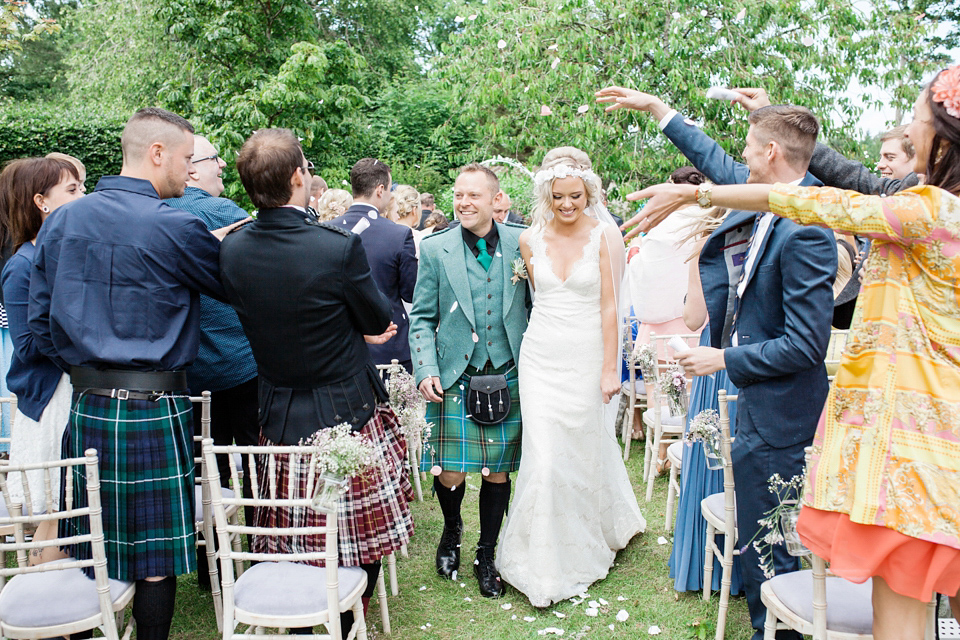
[(339, 454)]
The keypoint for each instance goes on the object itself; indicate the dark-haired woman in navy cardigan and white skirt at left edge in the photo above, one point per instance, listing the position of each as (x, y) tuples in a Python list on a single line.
[(30, 189)]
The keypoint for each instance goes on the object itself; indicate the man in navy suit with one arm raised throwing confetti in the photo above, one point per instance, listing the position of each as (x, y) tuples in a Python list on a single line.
[(768, 284)]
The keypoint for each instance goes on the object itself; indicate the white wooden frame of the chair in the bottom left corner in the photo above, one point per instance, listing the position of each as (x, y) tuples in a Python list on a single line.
[(92, 534)]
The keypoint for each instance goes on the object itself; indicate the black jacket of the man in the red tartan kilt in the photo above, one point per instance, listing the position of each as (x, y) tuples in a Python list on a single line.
[(305, 296)]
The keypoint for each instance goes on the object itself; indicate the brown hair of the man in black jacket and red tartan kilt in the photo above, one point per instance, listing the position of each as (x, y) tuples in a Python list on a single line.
[(266, 162)]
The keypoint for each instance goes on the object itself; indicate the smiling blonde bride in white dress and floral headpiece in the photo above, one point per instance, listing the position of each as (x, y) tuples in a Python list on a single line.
[(573, 507)]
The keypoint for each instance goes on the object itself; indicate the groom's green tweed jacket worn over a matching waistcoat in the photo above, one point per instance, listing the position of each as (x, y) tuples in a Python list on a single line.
[(443, 322)]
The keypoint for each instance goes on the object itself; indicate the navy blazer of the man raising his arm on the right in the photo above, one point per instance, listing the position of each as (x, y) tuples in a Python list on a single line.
[(784, 319)]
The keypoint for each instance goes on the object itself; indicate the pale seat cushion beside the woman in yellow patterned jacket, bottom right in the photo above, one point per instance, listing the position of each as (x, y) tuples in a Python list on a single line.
[(849, 608)]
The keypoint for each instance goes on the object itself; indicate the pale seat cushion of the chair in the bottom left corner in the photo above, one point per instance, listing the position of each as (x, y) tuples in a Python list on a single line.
[(54, 597)]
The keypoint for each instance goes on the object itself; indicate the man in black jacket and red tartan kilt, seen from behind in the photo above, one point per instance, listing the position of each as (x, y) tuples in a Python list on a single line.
[(315, 368)]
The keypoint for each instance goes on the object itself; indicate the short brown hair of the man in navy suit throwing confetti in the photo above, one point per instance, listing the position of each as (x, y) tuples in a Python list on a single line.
[(794, 128)]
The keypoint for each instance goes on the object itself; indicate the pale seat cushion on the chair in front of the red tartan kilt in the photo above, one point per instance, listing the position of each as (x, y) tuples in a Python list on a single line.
[(291, 589)]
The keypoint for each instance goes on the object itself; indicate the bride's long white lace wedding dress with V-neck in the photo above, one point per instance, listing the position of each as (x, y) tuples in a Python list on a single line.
[(573, 506)]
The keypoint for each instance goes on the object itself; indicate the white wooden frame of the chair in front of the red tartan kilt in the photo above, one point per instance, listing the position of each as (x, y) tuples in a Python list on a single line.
[(270, 490)]
